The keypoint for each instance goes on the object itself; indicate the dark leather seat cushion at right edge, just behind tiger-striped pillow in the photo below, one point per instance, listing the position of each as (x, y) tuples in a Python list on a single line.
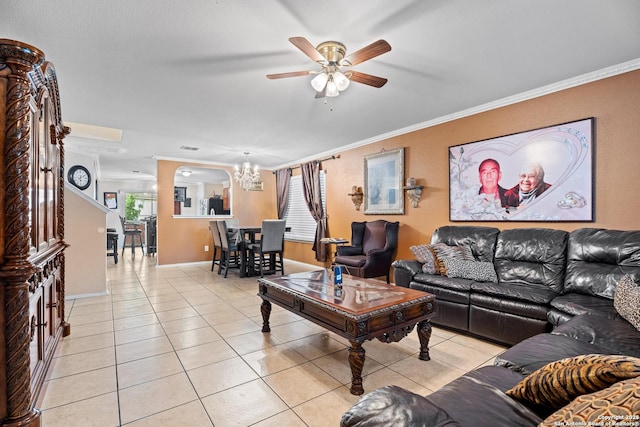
[(616, 335)]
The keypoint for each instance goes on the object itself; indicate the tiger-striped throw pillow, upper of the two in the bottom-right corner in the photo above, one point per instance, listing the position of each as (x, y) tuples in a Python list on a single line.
[(558, 383)]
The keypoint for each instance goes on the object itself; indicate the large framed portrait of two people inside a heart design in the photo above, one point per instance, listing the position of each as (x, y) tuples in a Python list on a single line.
[(539, 175)]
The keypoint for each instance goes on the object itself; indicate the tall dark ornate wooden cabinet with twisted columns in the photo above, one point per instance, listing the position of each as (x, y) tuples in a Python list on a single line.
[(31, 228)]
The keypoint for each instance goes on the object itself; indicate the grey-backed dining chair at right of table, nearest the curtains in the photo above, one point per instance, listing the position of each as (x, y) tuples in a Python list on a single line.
[(271, 244)]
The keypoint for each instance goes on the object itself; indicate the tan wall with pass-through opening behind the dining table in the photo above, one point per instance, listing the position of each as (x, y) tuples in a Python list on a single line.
[(182, 240)]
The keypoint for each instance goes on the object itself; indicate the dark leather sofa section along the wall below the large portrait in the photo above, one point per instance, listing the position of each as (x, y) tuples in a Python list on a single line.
[(545, 277)]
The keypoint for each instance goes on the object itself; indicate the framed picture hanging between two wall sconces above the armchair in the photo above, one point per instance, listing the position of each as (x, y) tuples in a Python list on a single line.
[(383, 180)]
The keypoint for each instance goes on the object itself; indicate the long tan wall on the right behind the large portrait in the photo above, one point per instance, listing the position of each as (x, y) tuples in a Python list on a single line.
[(613, 102)]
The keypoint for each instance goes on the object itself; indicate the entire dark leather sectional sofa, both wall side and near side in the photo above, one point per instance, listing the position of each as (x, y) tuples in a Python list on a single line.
[(554, 299)]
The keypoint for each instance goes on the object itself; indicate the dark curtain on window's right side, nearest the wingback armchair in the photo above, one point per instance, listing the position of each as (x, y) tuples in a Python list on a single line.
[(313, 197)]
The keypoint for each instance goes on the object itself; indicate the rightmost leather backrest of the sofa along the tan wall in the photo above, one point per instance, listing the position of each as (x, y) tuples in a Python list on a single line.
[(598, 258)]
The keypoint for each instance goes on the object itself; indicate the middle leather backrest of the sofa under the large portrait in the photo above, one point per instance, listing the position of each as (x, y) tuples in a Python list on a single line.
[(532, 256)]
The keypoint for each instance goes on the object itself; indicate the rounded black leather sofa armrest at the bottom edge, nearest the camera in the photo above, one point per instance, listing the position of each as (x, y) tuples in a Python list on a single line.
[(395, 406)]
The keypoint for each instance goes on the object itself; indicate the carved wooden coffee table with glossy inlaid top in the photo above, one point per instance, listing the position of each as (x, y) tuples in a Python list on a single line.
[(361, 310)]
